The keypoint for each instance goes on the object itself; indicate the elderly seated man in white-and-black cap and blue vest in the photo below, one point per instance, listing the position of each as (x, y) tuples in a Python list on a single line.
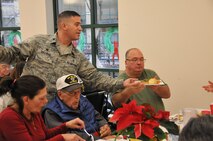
[(70, 104)]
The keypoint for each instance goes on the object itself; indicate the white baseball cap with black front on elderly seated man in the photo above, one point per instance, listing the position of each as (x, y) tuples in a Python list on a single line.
[(69, 82)]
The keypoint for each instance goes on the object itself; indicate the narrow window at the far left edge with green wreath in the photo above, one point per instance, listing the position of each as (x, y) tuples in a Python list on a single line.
[(9, 23)]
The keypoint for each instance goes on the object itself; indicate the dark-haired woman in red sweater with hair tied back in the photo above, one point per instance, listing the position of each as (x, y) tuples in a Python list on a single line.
[(23, 121)]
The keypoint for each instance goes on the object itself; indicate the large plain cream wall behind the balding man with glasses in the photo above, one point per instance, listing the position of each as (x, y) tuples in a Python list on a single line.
[(176, 37)]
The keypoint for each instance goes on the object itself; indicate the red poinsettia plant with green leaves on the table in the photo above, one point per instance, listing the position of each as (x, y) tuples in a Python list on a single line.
[(142, 122)]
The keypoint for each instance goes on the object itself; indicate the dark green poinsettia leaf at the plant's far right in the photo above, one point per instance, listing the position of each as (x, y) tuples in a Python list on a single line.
[(170, 126)]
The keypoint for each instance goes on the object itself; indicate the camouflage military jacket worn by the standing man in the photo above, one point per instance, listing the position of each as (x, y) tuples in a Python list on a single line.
[(49, 60)]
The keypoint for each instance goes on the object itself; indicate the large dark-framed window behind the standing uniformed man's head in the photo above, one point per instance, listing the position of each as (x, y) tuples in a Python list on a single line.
[(99, 40)]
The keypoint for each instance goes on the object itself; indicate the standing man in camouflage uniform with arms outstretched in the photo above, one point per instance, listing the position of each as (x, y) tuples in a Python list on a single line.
[(52, 56)]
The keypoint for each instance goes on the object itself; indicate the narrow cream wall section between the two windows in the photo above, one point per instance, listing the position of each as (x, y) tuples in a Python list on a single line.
[(36, 17)]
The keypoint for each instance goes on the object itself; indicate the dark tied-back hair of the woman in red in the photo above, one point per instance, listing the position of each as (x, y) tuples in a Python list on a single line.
[(27, 85)]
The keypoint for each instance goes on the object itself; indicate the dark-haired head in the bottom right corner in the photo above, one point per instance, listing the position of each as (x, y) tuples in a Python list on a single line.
[(198, 129)]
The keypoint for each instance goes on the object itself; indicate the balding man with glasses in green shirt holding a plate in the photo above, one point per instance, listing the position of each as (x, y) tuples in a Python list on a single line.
[(154, 88)]
